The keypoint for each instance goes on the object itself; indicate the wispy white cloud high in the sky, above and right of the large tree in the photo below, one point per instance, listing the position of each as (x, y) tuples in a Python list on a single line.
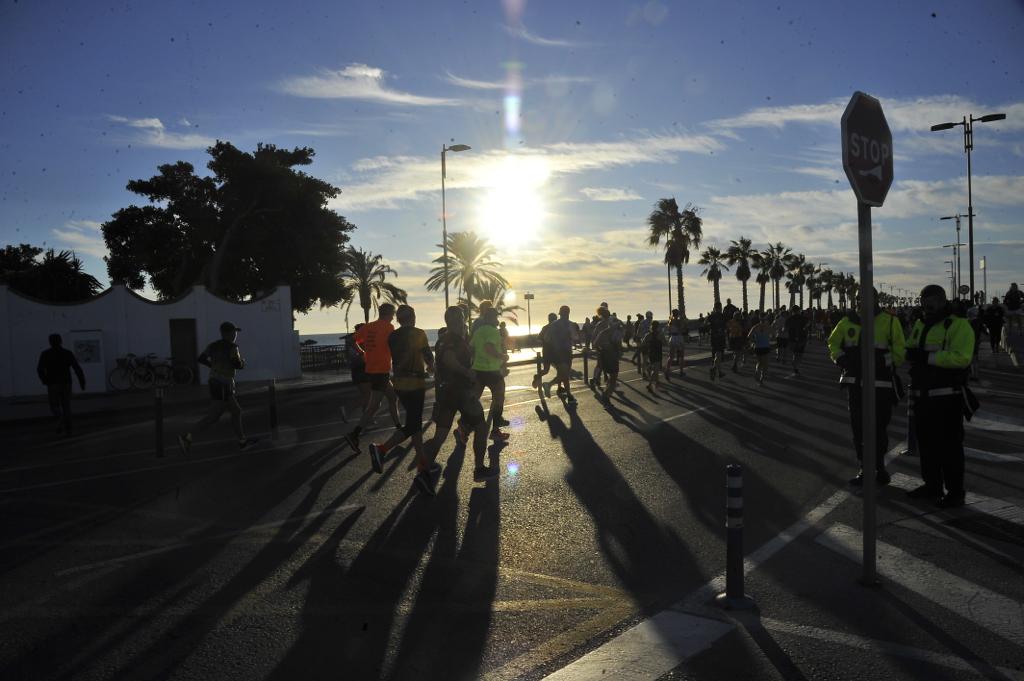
[(357, 81)]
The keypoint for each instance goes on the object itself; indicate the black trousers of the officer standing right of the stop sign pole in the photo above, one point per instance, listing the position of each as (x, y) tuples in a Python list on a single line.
[(940, 425)]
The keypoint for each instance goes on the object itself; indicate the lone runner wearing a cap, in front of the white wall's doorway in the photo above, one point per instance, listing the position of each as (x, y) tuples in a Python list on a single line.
[(224, 359)]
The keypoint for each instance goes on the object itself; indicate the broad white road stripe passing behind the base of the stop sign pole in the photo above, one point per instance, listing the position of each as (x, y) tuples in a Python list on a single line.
[(1000, 615)]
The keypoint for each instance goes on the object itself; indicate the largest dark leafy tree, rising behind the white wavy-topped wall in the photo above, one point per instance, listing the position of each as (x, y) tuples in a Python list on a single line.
[(255, 223)]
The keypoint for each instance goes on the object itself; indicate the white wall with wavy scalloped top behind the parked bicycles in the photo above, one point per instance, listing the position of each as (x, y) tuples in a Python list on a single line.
[(126, 323)]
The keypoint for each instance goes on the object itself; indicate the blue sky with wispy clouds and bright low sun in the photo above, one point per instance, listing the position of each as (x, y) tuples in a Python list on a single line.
[(732, 106)]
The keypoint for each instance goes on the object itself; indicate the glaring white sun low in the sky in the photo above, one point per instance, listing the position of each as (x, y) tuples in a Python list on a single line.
[(513, 210)]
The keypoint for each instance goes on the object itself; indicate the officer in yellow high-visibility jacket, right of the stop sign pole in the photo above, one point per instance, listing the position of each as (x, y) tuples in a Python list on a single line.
[(940, 351)]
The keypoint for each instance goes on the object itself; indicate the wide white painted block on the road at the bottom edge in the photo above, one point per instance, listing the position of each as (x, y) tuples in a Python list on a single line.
[(649, 651)]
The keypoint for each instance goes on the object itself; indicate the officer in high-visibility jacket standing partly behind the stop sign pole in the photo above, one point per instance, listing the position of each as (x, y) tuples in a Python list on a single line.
[(844, 349)]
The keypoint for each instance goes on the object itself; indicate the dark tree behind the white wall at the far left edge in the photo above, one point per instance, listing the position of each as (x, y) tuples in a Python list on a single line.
[(57, 277)]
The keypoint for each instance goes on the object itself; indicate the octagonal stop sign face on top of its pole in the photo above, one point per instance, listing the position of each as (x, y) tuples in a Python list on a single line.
[(868, 149)]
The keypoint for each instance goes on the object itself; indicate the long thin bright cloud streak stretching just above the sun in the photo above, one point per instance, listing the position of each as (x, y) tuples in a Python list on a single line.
[(391, 181)]
